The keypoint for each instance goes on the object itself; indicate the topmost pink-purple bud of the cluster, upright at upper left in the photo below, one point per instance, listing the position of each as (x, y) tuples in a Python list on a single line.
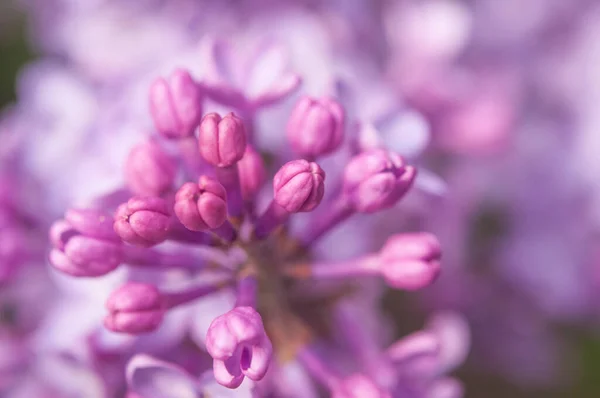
[(176, 104)]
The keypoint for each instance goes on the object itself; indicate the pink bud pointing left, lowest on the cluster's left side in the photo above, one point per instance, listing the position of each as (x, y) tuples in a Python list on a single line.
[(134, 308)]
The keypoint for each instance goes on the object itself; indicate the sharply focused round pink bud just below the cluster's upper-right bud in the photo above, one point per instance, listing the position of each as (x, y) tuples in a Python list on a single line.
[(299, 186)]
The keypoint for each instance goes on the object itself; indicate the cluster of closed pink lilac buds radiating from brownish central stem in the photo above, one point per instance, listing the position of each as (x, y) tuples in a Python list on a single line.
[(205, 200)]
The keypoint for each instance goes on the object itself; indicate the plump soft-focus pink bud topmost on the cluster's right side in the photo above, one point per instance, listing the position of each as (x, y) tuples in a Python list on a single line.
[(316, 127)]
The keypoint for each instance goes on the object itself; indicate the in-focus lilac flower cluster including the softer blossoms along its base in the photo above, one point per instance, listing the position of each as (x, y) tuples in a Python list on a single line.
[(191, 206)]
